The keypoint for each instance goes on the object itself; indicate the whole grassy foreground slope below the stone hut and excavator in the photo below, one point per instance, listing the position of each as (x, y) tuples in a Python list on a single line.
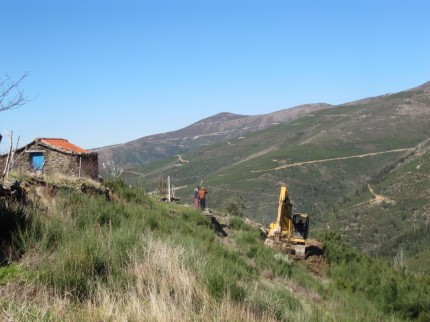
[(80, 257)]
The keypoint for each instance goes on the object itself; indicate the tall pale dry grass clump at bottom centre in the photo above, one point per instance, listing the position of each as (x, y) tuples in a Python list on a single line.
[(165, 290)]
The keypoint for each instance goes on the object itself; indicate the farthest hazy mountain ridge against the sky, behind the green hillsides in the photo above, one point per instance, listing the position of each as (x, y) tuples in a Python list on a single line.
[(208, 131)]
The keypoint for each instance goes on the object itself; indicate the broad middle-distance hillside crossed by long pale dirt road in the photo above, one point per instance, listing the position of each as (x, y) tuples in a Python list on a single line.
[(254, 166)]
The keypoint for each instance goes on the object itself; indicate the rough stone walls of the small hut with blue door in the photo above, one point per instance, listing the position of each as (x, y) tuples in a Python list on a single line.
[(85, 165)]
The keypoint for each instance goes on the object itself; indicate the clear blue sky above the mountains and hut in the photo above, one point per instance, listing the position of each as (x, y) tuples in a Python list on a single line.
[(108, 72)]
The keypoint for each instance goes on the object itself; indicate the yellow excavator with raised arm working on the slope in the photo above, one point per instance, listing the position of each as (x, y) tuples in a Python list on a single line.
[(289, 231)]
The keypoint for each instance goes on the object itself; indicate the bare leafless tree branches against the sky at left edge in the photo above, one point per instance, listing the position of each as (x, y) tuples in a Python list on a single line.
[(11, 95)]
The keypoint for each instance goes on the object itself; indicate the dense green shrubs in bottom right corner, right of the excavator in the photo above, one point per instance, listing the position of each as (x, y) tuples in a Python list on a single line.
[(394, 291)]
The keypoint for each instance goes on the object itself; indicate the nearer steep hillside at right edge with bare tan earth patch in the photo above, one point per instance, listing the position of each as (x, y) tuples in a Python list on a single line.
[(389, 217)]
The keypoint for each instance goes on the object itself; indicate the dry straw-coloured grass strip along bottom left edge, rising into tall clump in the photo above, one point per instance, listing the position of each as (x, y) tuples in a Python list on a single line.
[(163, 289)]
